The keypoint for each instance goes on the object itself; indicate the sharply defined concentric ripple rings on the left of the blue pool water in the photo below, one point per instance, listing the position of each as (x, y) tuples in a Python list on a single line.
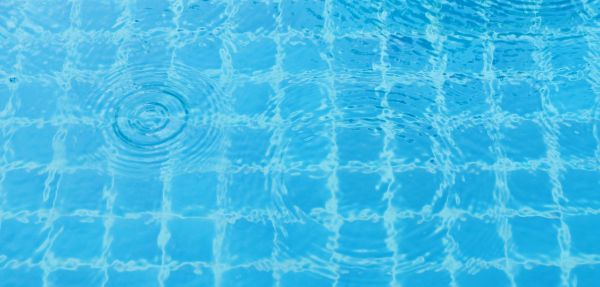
[(155, 118)]
